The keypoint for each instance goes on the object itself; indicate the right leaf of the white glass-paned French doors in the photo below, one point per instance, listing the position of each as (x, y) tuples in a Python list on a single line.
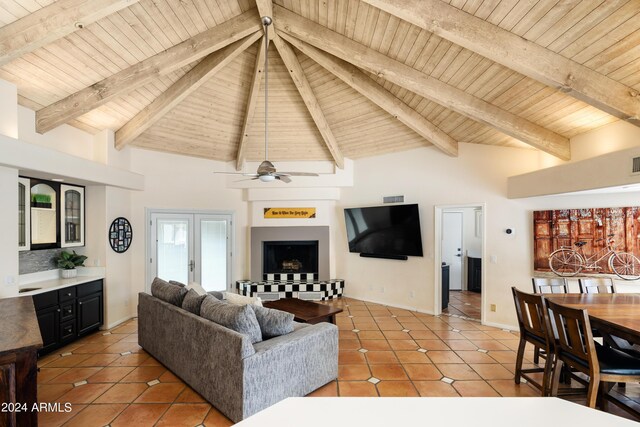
[(213, 243)]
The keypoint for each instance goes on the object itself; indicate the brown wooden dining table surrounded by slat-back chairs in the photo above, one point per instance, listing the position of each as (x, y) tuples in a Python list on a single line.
[(613, 314)]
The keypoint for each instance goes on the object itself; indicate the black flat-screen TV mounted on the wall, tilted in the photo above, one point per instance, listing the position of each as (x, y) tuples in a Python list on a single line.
[(384, 231)]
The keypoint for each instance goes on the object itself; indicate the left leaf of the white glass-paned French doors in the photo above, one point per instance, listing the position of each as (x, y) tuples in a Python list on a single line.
[(173, 248)]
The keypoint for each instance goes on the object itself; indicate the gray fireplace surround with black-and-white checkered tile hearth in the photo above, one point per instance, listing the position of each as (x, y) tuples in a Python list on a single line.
[(312, 285)]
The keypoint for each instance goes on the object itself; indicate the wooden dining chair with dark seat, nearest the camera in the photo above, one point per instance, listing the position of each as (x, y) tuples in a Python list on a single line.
[(575, 347)]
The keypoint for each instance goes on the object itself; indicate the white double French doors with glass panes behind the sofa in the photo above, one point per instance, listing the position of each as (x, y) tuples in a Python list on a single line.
[(191, 247)]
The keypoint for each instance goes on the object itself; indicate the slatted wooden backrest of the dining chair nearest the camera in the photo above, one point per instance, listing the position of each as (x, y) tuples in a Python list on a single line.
[(574, 334)]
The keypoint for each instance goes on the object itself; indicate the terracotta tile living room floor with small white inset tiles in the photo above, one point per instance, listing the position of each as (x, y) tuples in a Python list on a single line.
[(110, 380)]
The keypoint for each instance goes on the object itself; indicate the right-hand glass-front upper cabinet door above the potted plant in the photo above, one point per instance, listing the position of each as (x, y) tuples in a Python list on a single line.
[(71, 216)]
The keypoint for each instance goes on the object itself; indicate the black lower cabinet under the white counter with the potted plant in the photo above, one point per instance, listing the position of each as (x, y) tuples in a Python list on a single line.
[(68, 313)]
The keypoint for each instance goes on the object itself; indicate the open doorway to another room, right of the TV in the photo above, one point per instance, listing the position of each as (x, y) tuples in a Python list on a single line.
[(459, 250)]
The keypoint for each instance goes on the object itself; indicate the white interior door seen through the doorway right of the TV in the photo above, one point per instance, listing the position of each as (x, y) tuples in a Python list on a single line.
[(452, 247)]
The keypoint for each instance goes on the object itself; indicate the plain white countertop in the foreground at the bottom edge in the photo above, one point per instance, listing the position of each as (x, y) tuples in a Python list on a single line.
[(432, 411)]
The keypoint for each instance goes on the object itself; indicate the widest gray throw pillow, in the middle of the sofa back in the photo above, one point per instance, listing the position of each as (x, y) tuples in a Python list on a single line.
[(239, 318)]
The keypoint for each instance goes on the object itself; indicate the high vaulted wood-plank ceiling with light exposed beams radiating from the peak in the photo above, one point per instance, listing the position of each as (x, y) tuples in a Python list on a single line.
[(347, 78)]
